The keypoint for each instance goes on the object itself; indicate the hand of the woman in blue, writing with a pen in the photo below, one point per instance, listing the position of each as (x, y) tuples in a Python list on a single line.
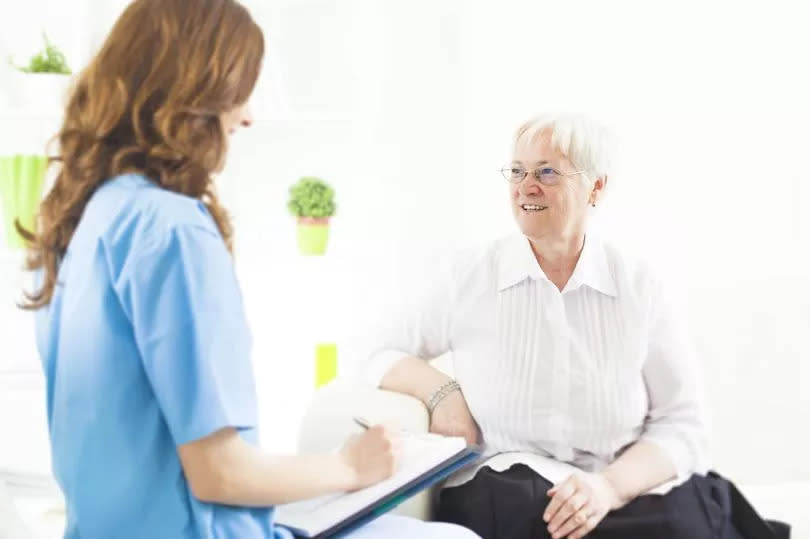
[(370, 457)]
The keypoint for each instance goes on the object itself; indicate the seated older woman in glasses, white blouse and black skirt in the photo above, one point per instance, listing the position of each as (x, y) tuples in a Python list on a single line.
[(570, 365)]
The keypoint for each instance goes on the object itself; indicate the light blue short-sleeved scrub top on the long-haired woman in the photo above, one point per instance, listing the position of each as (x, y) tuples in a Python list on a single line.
[(145, 347)]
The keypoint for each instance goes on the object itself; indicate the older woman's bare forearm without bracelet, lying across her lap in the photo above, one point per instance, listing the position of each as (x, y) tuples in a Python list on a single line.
[(642, 467)]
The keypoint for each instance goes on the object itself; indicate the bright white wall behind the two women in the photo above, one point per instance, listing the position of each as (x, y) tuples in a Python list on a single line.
[(408, 109)]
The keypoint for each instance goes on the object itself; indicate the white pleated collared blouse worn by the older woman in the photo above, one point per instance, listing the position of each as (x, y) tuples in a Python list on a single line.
[(559, 380)]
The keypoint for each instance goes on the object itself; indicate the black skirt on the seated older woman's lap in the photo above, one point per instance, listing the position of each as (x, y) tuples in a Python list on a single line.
[(510, 505)]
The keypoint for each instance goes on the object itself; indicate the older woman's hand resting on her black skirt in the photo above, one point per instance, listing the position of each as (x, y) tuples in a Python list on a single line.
[(579, 503)]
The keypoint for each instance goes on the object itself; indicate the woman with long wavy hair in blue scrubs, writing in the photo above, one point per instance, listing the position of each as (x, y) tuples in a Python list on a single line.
[(140, 324)]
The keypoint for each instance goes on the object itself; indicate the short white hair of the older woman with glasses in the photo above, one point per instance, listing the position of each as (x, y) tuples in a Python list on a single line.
[(586, 143)]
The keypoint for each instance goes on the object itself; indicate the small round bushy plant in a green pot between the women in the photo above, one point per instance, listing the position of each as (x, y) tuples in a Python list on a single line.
[(312, 203)]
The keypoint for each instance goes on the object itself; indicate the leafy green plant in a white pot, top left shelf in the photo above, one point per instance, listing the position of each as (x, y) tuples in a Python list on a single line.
[(42, 84)]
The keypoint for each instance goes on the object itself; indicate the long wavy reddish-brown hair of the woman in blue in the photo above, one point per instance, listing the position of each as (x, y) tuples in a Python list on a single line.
[(150, 102)]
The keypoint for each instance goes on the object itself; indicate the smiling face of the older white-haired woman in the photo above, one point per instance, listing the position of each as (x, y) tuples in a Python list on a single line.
[(554, 213)]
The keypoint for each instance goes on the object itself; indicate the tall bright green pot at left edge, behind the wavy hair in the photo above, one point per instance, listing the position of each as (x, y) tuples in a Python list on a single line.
[(21, 180)]
